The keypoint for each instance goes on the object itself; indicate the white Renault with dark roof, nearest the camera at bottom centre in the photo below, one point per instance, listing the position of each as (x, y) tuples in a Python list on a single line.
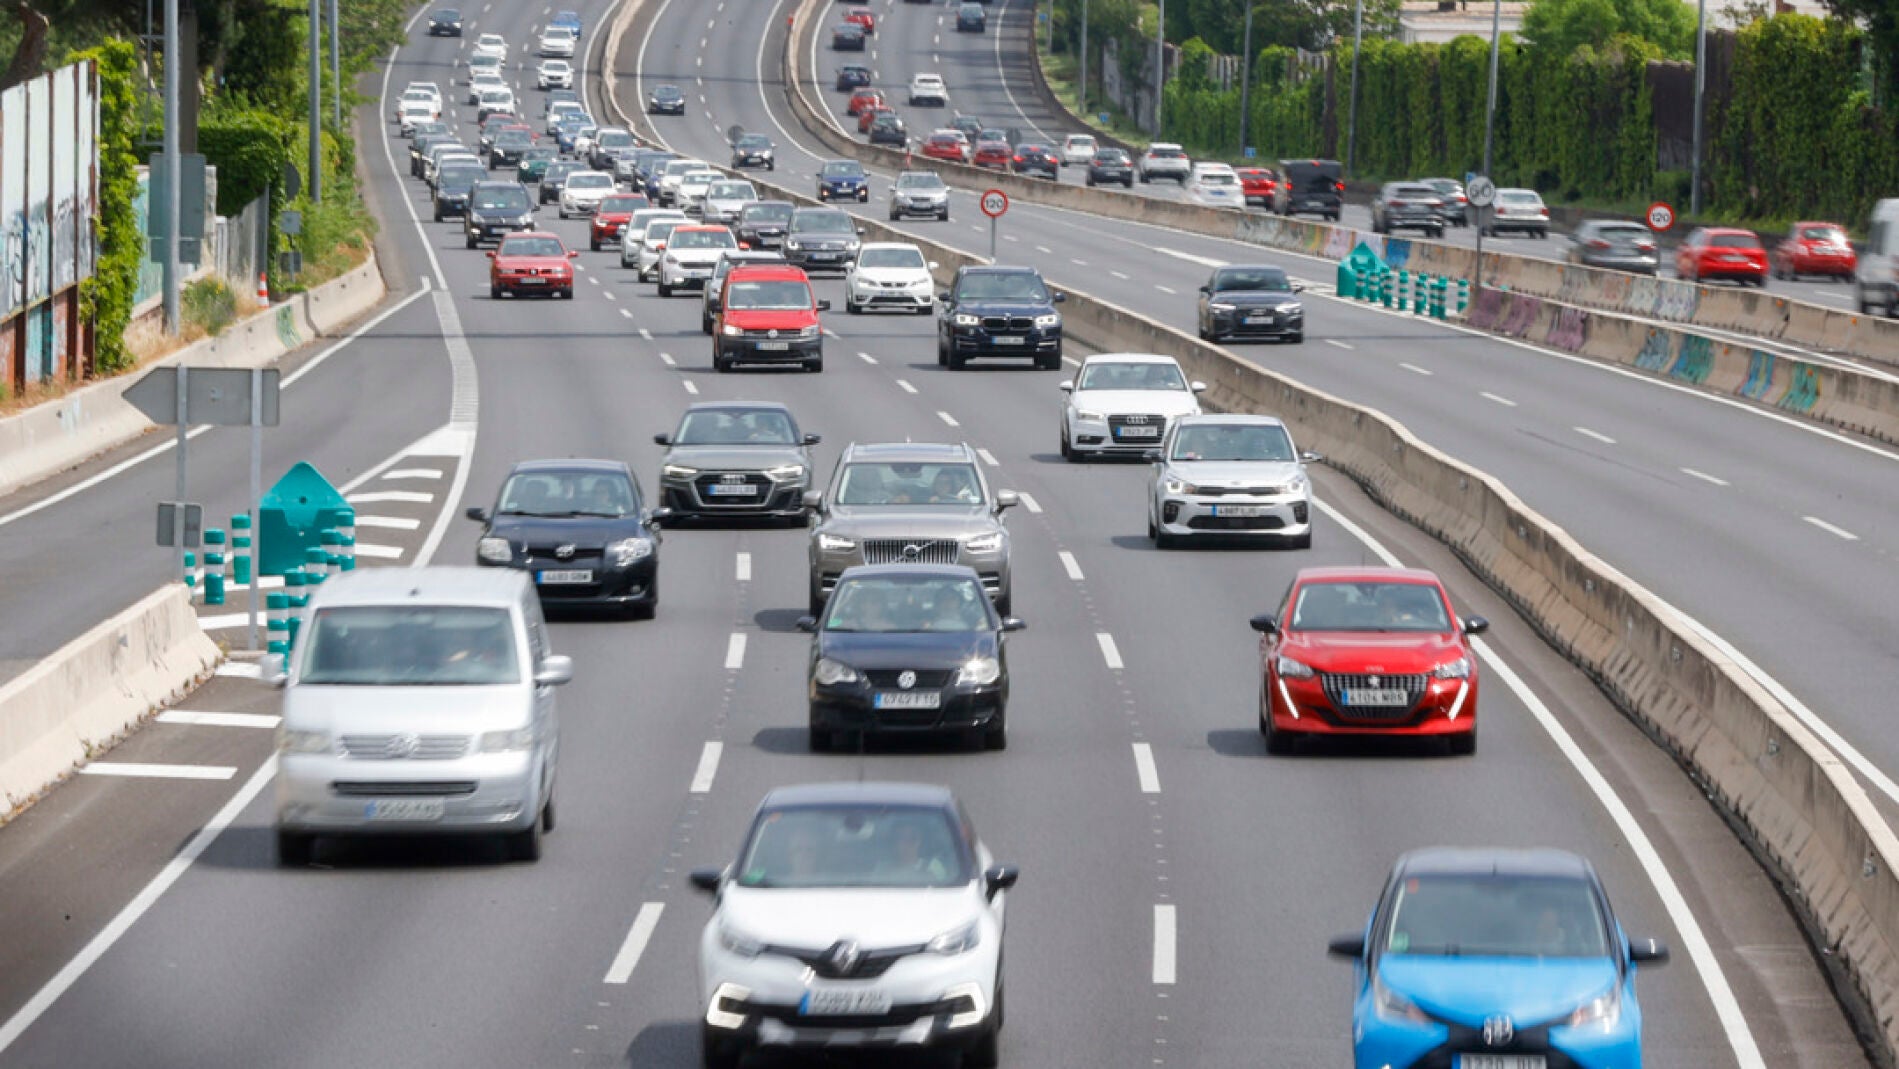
[(859, 914)]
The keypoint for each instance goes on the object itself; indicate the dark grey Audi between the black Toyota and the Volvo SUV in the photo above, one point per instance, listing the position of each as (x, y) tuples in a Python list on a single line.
[(736, 460)]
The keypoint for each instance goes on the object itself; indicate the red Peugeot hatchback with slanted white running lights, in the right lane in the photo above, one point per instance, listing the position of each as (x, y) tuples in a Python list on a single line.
[(1368, 652)]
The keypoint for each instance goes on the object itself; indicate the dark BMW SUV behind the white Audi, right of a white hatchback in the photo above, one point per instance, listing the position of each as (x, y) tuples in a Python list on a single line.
[(1000, 312)]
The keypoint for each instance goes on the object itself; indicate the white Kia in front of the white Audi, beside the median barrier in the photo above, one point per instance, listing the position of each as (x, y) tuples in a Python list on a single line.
[(1230, 476)]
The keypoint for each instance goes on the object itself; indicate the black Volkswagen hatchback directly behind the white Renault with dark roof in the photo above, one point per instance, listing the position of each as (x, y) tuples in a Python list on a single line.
[(909, 648)]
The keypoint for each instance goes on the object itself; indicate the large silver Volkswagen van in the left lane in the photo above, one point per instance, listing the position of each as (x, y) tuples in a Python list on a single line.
[(419, 702)]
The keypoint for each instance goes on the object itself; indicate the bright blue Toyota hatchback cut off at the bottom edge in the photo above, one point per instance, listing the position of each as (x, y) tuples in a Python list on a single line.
[(1495, 960)]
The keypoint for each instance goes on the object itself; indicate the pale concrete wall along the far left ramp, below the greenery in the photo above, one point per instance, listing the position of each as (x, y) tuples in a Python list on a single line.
[(67, 432)]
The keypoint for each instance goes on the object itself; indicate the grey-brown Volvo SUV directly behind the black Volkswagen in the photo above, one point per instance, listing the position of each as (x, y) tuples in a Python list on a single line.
[(909, 504)]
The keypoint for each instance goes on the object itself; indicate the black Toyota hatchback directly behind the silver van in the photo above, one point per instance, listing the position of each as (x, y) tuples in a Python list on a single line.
[(580, 529)]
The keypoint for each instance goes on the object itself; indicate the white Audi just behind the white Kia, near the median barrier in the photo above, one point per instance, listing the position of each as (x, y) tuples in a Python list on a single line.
[(1123, 403)]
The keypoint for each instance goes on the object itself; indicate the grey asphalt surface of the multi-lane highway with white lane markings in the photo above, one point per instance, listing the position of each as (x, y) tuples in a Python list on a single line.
[(1178, 886)]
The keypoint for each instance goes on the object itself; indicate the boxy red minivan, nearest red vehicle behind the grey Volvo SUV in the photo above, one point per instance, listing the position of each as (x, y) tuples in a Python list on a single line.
[(770, 316)]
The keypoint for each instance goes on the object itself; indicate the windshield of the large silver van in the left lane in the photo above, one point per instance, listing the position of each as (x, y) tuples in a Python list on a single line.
[(373, 647)]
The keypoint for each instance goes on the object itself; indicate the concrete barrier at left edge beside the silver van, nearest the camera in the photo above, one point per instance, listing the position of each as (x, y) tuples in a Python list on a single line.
[(94, 690)]
